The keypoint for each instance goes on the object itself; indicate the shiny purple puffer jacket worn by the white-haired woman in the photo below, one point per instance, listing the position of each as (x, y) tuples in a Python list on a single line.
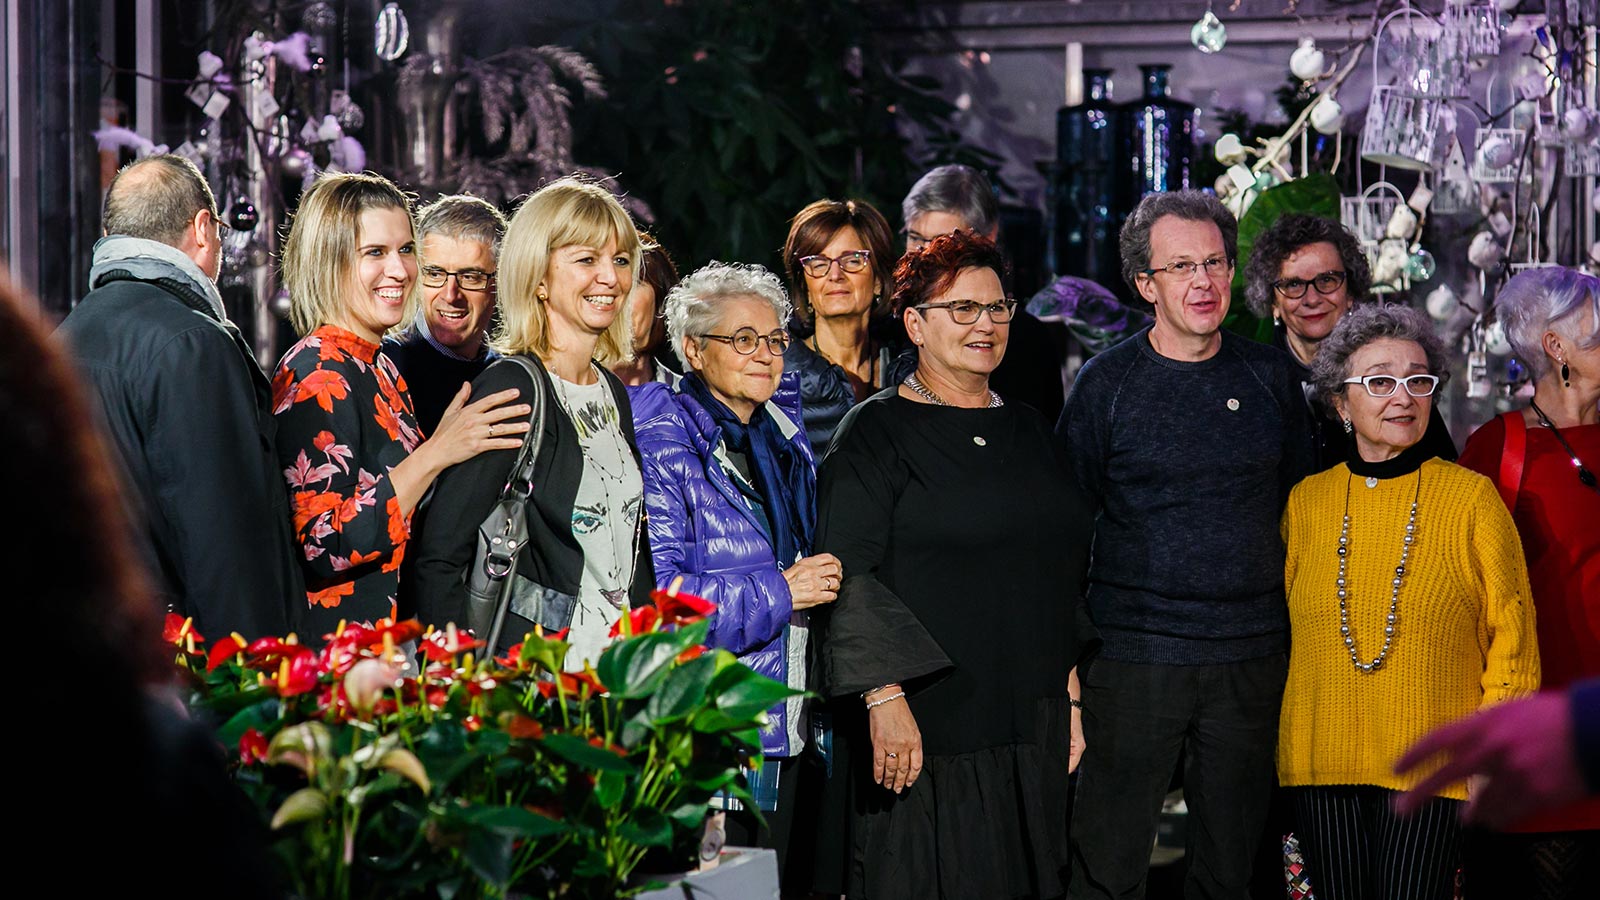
[(703, 531)]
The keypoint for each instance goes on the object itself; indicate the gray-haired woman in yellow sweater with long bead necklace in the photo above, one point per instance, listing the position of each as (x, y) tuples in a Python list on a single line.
[(1409, 608)]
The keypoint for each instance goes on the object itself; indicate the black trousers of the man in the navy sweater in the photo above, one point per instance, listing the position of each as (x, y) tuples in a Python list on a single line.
[(1138, 720)]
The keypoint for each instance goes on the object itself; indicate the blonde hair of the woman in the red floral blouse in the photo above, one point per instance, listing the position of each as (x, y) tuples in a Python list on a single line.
[(321, 252)]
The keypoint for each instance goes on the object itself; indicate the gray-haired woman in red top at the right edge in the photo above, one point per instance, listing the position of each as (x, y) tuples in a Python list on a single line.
[(1545, 462)]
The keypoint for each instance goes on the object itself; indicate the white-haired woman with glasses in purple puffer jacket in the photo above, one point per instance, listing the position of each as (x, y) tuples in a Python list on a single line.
[(730, 496)]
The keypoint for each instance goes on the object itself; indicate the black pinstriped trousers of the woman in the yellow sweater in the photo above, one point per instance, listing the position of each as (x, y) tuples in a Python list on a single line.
[(1359, 850)]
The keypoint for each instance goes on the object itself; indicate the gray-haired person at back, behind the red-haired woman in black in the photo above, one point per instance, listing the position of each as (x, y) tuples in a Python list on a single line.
[(954, 198)]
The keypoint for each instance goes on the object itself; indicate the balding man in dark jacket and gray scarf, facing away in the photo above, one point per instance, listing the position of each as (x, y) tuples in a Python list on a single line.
[(185, 406)]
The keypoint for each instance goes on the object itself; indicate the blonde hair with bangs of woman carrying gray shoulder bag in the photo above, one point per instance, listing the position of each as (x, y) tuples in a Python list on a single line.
[(562, 214)]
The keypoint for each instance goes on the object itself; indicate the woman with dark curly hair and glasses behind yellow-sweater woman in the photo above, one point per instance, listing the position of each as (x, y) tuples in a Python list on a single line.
[(1306, 273)]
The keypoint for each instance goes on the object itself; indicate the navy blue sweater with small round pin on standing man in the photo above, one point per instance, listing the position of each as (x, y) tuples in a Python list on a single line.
[(1188, 467)]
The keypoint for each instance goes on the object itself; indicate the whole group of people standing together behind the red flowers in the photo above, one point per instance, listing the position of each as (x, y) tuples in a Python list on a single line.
[(1254, 565)]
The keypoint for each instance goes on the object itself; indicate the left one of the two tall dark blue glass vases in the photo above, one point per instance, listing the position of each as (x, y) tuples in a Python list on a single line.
[(1087, 156)]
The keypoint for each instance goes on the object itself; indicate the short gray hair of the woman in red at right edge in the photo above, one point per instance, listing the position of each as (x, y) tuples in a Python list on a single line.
[(1553, 299)]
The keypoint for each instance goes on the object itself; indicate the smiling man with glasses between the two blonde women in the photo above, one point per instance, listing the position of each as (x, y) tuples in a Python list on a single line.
[(446, 347)]
